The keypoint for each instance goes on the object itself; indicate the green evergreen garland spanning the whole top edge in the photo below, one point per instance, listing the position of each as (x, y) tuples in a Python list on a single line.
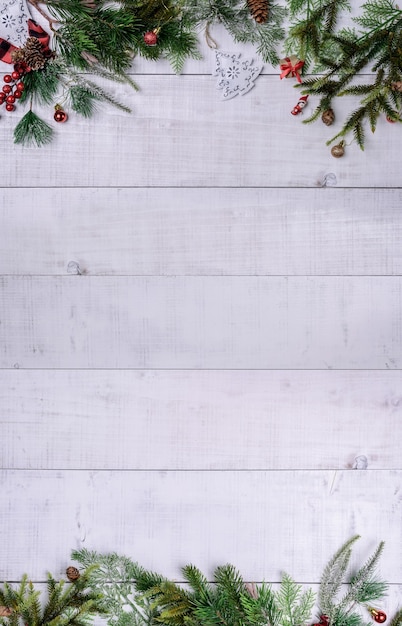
[(99, 38)]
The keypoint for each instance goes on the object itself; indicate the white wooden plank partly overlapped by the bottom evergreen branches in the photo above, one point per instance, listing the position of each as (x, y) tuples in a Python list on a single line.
[(165, 519)]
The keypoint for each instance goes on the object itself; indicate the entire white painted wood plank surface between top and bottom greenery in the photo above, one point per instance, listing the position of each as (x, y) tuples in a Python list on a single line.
[(201, 391)]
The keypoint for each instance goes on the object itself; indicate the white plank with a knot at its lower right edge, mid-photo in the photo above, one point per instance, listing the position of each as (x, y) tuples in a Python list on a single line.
[(186, 420)]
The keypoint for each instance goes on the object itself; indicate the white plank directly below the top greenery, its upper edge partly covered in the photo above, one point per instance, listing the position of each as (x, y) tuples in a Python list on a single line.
[(181, 134)]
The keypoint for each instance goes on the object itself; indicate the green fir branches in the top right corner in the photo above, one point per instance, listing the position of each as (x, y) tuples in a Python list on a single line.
[(340, 55)]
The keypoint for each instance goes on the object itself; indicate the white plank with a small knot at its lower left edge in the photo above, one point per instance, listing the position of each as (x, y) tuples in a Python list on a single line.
[(201, 231)]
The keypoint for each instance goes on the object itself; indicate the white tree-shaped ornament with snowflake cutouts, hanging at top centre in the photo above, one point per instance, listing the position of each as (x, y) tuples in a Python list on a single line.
[(236, 77)]
